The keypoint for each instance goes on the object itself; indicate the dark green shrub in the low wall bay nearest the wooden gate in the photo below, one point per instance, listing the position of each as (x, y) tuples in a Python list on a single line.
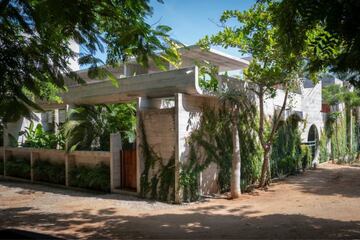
[(96, 177)]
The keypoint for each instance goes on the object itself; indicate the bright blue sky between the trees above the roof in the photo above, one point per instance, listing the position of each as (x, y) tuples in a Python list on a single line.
[(191, 20)]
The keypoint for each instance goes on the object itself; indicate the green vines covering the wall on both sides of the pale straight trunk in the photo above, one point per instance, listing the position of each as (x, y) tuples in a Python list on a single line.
[(213, 144)]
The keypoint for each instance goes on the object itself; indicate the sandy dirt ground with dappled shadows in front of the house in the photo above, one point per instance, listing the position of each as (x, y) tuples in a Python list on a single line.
[(322, 203)]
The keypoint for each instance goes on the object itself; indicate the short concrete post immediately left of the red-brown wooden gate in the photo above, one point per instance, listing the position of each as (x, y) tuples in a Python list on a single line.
[(115, 148)]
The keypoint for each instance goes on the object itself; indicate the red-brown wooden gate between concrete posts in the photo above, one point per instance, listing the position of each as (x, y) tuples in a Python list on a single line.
[(128, 169)]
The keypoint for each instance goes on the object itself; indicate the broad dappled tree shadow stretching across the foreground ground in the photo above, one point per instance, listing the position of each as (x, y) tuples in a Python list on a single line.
[(202, 224)]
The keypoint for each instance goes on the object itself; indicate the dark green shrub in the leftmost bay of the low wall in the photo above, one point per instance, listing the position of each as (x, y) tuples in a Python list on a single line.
[(18, 167)]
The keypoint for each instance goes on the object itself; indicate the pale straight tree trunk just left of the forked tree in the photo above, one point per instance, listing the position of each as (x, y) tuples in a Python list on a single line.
[(236, 159)]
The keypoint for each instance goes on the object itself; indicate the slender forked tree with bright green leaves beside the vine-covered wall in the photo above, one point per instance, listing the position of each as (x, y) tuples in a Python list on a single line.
[(254, 33)]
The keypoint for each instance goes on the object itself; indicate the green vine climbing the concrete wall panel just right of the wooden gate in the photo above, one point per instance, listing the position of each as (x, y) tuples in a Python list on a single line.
[(161, 184)]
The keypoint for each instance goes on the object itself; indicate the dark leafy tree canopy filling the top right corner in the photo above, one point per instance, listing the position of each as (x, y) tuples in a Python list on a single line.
[(329, 31)]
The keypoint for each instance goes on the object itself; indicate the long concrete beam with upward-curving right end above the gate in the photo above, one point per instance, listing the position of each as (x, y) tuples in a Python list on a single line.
[(160, 84)]
